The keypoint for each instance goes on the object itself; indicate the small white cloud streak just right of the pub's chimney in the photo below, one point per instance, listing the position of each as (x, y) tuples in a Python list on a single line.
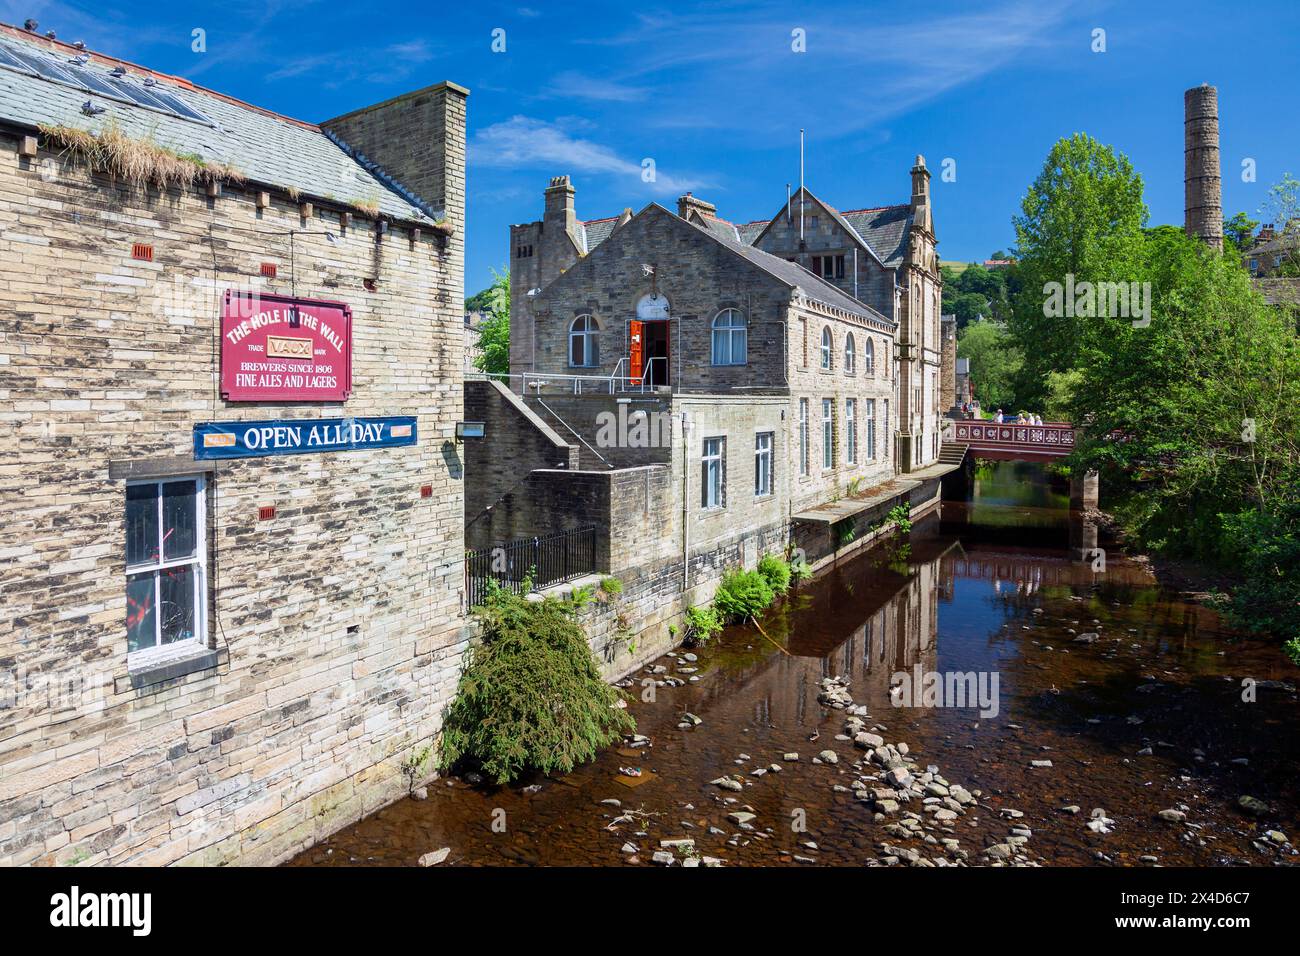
[(525, 142)]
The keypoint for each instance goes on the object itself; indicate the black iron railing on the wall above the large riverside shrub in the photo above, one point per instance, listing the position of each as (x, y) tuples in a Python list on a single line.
[(544, 561)]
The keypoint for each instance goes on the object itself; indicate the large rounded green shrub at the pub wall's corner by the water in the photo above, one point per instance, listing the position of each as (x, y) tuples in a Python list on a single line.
[(531, 697)]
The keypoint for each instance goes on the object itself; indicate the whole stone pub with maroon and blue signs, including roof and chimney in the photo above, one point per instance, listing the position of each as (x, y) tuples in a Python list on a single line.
[(213, 652)]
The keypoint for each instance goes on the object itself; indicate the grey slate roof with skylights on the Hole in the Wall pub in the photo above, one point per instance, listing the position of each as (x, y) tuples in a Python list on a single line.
[(268, 149)]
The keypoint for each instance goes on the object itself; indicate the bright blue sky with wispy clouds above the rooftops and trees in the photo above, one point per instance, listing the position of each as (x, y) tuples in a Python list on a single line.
[(716, 94)]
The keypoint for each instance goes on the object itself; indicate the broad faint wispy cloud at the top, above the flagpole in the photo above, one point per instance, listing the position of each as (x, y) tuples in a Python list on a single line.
[(734, 67)]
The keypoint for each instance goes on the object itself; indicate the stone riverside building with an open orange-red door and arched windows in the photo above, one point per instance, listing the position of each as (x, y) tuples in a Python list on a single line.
[(703, 393)]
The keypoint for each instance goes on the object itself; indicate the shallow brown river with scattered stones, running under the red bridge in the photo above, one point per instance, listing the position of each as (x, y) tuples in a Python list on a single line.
[(1151, 715)]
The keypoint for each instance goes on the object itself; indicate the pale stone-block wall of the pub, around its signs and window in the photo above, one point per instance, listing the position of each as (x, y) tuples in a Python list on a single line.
[(335, 629)]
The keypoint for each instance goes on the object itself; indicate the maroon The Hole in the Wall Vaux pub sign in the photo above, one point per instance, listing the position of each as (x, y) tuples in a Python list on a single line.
[(281, 349)]
